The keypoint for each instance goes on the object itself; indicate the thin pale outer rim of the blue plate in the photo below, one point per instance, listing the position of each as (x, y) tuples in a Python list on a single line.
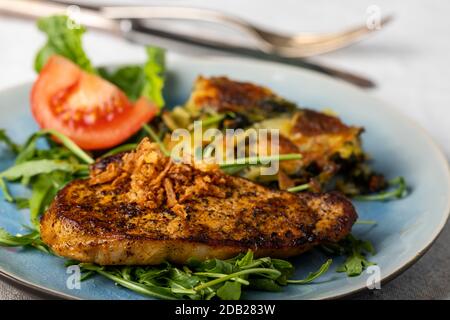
[(386, 278)]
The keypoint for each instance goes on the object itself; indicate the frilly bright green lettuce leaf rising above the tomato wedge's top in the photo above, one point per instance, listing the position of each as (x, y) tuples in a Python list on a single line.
[(64, 39)]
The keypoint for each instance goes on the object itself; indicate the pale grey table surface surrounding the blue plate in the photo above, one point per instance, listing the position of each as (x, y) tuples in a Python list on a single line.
[(408, 60)]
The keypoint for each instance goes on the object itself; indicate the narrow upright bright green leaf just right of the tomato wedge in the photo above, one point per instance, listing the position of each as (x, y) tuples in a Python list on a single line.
[(154, 71)]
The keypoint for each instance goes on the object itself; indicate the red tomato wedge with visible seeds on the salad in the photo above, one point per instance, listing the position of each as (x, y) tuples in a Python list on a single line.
[(91, 111)]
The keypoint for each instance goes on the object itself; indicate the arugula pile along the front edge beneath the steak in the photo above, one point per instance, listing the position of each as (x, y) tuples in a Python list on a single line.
[(224, 279)]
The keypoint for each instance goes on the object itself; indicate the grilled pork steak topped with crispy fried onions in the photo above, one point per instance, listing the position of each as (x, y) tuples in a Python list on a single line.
[(142, 208)]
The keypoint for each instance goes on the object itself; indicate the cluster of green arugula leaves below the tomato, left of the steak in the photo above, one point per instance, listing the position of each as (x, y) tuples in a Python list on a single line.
[(44, 170)]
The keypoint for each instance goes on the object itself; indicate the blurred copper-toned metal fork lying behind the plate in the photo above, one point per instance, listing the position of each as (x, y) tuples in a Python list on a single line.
[(295, 46)]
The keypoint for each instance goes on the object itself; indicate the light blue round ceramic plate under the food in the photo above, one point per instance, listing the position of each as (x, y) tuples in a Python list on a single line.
[(405, 229)]
